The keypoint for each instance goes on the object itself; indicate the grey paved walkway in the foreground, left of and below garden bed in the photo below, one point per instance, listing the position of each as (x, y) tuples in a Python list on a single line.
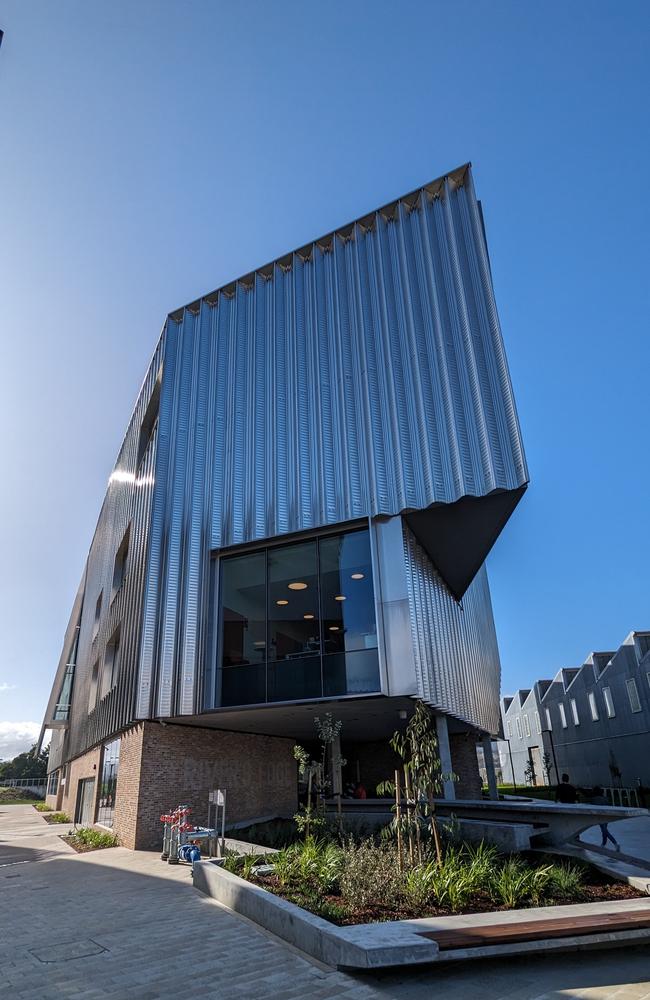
[(123, 925)]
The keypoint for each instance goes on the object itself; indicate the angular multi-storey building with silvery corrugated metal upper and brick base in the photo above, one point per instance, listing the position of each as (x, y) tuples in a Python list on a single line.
[(320, 458)]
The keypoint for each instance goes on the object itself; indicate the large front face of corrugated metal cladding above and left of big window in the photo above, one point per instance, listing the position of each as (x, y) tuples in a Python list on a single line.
[(362, 375)]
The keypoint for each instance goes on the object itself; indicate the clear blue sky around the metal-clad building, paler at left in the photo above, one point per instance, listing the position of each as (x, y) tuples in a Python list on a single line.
[(151, 151)]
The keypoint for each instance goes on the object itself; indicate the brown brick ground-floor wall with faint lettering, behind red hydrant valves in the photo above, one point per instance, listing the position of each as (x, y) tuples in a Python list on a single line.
[(184, 763)]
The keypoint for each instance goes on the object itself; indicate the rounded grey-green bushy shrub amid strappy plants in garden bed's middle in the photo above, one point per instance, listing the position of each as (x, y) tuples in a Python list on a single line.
[(369, 875)]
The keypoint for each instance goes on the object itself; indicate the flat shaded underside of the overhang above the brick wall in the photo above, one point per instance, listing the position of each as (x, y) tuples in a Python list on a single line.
[(364, 719)]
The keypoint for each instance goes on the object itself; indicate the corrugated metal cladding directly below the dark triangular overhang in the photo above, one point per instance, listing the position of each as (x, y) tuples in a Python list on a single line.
[(456, 653)]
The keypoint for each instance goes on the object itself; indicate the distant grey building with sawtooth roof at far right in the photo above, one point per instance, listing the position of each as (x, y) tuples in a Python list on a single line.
[(592, 722)]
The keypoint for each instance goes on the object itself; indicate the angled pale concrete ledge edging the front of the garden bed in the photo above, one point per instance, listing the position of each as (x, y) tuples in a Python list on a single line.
[(403, 942)]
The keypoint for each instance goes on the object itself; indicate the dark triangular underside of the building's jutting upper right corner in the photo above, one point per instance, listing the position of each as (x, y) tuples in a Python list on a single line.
[(457, 537)]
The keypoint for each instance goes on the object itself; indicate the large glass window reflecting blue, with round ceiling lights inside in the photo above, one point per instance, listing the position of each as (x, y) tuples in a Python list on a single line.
[(298, 622)]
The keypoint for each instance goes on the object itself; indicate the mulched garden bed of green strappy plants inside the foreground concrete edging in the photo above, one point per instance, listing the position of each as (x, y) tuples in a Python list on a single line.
[(361, 883)]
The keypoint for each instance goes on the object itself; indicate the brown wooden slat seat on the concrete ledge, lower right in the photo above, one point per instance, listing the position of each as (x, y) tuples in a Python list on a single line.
[(529, 930)]
